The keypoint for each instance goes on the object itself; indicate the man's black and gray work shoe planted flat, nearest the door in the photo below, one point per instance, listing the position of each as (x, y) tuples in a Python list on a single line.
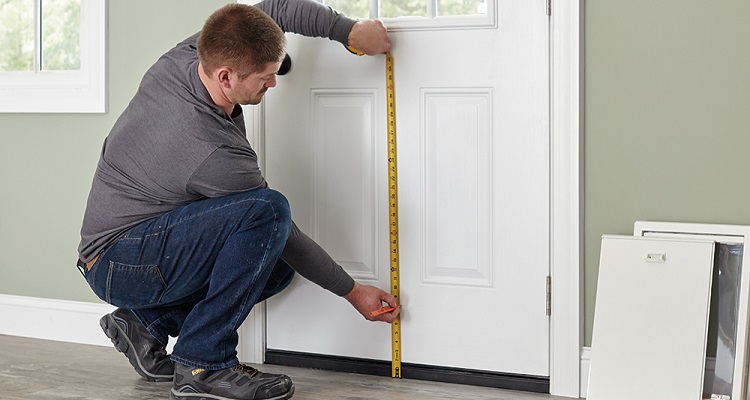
[(240, 382)]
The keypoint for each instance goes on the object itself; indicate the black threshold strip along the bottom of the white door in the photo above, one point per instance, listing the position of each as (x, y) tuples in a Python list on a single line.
[(526, 383)]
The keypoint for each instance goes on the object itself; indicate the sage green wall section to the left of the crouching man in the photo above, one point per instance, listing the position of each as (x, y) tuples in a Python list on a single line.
[(47, 161)]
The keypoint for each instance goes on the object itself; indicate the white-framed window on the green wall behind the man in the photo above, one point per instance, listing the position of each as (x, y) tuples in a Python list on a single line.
[(52, 56)]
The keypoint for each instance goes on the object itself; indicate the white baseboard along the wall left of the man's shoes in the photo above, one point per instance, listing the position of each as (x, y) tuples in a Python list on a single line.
[(52, 319)]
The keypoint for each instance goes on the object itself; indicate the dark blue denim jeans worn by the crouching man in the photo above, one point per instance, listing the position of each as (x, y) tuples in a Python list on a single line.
[(198, 270)]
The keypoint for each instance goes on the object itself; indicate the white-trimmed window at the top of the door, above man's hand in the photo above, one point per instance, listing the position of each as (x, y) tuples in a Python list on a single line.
[(421, 14)]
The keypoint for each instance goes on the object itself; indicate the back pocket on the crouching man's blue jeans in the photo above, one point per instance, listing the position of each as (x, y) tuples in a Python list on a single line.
[(134, 286)]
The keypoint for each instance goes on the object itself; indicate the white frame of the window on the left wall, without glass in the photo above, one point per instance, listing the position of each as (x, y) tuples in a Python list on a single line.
[(81, 91)]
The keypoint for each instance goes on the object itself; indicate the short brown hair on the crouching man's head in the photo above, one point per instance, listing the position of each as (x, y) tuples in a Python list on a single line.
[(241, 37)]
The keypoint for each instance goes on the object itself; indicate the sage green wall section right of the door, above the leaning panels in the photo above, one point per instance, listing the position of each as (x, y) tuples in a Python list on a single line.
[(667, 125)]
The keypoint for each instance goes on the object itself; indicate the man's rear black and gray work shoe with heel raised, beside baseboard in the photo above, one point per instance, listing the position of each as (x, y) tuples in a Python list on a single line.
[(145, 353)]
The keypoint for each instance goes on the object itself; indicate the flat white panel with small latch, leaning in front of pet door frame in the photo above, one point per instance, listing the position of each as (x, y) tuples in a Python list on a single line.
[(651, 319)]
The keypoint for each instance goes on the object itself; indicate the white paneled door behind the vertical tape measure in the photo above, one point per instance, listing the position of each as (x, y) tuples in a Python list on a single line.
[(472, 123)]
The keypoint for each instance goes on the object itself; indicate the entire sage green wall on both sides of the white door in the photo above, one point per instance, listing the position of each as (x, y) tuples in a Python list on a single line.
[(667, 131)]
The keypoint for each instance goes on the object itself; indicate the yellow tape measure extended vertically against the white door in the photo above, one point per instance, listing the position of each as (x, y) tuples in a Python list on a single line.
[(393, 213)]
